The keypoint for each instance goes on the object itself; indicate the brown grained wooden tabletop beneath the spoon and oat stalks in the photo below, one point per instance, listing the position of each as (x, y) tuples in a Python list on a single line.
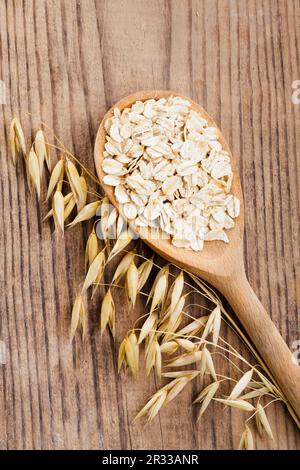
[(66, 62)]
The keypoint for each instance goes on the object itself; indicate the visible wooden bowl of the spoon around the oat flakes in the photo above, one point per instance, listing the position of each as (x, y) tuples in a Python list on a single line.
[(215, 256)]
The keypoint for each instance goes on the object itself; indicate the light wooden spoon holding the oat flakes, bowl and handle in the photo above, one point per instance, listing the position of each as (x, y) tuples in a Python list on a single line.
[(221, 264)]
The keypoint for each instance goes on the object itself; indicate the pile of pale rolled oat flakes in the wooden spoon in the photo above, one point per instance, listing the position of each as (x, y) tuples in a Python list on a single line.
[(170, 171)]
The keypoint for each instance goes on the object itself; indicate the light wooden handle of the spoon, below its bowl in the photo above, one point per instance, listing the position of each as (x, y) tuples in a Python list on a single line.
[(266, 338)]
